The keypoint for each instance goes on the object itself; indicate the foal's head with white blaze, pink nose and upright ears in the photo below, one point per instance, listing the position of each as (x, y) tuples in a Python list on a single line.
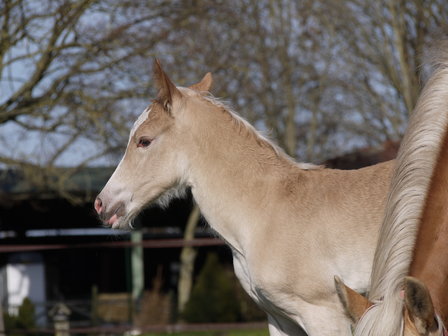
[(153, 166)]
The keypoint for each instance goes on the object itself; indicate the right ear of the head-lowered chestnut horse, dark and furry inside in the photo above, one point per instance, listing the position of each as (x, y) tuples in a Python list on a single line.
[(419, 305)]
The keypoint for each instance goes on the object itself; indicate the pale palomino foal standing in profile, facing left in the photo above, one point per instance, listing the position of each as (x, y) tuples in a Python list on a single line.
[(290, 226)]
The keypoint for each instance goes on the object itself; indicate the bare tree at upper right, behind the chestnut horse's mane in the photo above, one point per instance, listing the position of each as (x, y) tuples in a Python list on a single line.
[(381, 46)]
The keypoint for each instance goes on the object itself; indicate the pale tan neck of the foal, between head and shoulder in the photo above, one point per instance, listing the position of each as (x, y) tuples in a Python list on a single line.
[(233, 171)]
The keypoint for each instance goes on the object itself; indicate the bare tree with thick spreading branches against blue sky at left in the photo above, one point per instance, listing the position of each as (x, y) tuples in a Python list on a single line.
[(67, 69)]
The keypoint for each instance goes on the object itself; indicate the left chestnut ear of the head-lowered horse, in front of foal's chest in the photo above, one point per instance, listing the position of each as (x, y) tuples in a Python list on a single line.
[(354, 303)]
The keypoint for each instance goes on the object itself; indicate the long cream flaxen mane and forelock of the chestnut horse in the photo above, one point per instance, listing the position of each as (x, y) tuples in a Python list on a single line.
[(416, 159)]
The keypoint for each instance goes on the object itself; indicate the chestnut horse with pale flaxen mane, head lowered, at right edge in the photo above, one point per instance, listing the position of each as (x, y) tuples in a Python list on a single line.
[(414, 235)]
